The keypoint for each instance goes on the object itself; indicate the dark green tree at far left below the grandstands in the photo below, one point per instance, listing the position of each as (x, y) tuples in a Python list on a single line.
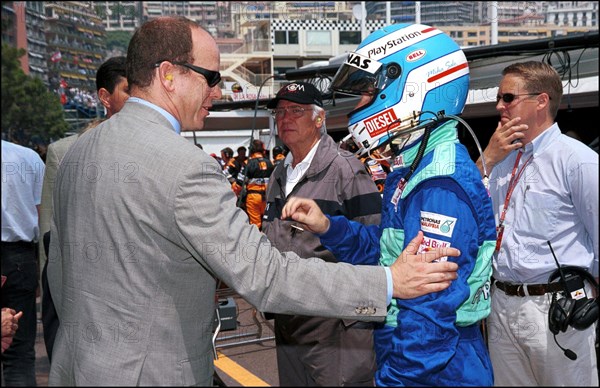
[(30, 112)]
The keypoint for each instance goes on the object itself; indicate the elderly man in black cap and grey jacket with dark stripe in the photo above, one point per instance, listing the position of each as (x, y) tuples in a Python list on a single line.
[(312, 350)]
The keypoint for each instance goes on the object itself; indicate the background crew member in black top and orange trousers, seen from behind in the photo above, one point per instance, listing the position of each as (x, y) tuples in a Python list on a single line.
[(252, 182)]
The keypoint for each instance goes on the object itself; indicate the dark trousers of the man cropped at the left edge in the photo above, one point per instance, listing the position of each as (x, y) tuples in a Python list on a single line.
[(19, 265)]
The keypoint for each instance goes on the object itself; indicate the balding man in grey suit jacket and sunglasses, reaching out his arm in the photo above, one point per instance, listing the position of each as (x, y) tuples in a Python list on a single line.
[(145, 222)]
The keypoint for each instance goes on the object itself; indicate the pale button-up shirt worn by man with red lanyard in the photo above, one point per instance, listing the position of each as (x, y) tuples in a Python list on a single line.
[(556, 200)]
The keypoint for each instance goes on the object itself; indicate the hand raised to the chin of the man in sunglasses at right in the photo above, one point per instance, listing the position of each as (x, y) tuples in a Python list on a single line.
[(504, 140)]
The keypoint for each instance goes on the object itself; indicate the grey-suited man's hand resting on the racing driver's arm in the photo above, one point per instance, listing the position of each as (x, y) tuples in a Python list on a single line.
[(415, 275)]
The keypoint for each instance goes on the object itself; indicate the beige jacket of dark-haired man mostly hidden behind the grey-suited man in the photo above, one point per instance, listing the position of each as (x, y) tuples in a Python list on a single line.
[(54, 155)]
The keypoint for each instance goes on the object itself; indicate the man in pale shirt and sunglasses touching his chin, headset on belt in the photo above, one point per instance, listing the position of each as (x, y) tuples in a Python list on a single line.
[(544, 188)]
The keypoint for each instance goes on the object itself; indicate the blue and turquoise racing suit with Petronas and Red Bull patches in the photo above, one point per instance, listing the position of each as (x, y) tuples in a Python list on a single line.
[(434, 339)]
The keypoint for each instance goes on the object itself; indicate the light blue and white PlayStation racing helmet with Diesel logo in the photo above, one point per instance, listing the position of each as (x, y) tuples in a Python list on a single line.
[(405, 74)]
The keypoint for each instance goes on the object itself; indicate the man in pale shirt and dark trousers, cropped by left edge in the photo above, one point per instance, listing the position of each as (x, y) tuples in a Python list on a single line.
[(22, 174)]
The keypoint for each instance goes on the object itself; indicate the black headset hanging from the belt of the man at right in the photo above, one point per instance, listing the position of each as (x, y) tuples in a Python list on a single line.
[(579, 313)]
